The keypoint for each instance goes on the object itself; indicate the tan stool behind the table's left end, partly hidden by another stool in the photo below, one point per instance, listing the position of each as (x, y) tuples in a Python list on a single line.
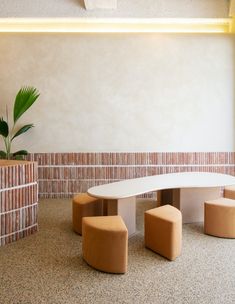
[(85, 205)]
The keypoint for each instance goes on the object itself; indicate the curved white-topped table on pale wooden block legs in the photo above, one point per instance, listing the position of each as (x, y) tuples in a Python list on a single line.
[(188, 191)]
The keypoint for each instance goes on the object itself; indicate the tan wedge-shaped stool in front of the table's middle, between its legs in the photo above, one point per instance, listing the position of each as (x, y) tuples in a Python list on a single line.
[(163, 231)]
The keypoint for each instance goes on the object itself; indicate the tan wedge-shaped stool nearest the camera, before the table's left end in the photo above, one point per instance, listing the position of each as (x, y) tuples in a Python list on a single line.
[(105, 243)]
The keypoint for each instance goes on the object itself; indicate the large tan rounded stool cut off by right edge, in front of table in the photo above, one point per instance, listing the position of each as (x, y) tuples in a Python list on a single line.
[(219, 217)]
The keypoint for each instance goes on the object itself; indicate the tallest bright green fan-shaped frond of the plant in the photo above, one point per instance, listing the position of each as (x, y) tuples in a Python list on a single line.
[(24, 100)]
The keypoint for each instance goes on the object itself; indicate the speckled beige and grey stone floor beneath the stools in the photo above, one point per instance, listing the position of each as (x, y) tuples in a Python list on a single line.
[(47, 267)]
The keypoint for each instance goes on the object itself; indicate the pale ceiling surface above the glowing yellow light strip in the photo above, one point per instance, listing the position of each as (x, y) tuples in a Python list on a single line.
[(126, 9)]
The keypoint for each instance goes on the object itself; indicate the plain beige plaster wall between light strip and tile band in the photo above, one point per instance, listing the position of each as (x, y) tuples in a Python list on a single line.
[(113, 92)]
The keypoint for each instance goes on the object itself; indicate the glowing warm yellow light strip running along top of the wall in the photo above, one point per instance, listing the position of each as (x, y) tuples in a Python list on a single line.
[(114, 25)]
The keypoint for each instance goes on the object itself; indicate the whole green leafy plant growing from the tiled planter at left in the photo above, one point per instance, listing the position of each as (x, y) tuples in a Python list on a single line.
[(25, 98)]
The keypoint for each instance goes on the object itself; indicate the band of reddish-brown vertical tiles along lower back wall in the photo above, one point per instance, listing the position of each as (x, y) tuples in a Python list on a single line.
[(61, 175)]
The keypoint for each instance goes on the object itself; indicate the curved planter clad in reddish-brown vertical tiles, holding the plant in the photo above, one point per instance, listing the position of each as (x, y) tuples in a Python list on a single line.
[(18, 200)]
